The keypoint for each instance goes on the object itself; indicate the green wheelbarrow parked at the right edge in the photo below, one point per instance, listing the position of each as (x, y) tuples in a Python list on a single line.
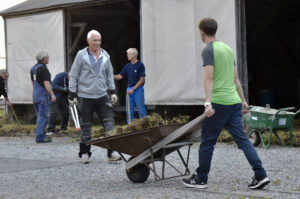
[(265, 119)]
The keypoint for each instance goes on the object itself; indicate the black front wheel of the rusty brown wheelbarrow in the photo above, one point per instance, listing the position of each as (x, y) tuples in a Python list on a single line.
[(138, 173)]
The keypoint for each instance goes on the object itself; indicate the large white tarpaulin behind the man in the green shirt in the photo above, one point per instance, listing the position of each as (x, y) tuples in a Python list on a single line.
[(171, 47)]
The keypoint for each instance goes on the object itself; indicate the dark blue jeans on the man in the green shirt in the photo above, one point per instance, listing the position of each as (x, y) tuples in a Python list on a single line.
[(230, 118)]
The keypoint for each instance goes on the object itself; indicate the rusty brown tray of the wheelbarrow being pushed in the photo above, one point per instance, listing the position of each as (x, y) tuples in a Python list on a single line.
[(136, 142)]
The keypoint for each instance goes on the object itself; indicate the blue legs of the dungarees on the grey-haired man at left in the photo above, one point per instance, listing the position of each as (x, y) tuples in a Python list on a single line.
[(42, 112)]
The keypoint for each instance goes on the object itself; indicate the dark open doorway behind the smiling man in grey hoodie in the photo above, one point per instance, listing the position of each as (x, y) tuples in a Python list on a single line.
[(119, 25)]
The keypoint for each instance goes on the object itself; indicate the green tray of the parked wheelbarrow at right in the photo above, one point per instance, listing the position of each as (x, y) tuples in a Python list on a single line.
[(262, 118)]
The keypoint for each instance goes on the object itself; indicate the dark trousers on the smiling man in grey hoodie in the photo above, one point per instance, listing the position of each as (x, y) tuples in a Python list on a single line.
[(103, 108)]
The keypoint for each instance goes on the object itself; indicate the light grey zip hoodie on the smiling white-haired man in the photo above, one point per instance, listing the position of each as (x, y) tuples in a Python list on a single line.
[(85, 82)]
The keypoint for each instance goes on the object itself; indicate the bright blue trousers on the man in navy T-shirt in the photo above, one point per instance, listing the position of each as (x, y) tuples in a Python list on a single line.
[(136, 99)]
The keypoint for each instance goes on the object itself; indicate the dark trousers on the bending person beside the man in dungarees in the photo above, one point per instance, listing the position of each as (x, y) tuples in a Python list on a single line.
[(62, 106)]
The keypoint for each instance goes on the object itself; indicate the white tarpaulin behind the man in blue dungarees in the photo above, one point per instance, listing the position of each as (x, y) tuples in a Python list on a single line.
[(26, 36)]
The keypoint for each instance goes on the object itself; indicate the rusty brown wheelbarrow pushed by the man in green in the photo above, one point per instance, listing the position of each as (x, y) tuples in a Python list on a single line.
[(148, 146)]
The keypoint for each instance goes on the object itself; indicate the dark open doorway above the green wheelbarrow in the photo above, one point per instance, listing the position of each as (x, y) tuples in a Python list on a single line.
[(273, 52)]
